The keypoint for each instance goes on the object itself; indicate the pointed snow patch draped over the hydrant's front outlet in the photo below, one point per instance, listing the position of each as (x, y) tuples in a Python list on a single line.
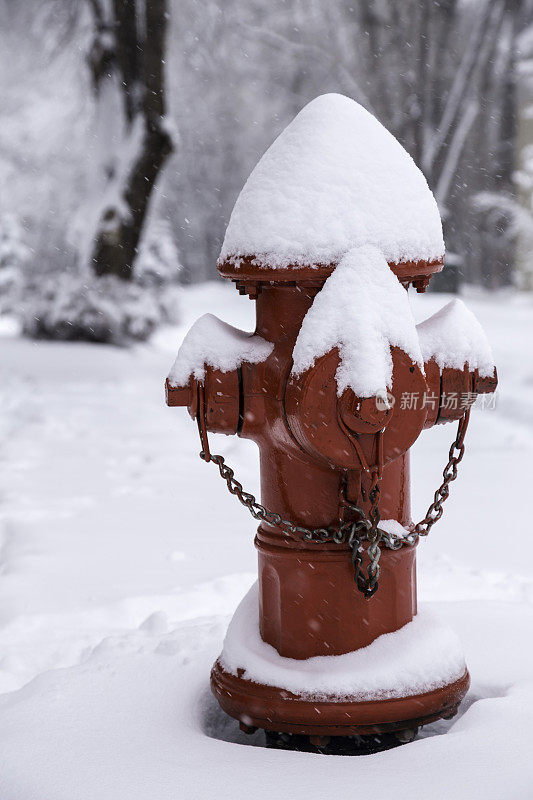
[(363, 310)]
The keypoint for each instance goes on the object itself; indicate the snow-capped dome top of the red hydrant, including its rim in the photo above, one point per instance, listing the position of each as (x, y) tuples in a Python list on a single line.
[(334, 179)]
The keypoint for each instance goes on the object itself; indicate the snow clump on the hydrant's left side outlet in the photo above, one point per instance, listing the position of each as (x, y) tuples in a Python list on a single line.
[(215, 343)]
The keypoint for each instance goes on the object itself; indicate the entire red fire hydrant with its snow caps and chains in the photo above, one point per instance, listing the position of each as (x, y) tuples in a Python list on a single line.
[(336, 384)]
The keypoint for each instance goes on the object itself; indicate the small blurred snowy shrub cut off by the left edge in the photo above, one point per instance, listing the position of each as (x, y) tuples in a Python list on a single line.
[(14, 254)]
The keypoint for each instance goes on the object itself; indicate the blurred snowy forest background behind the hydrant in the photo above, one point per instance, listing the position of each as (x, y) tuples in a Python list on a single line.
[(129, 127)]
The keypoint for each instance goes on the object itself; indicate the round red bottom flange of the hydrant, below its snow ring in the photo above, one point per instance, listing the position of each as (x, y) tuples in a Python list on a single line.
[(276, 709)]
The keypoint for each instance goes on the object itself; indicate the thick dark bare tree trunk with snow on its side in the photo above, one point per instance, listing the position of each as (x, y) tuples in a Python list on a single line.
[(139, 60)]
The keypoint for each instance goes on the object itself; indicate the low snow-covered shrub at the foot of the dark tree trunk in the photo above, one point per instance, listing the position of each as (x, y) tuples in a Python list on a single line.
[(87, 308)]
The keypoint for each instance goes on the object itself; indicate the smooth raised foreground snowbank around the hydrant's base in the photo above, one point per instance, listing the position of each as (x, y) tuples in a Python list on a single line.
[(136, 720)]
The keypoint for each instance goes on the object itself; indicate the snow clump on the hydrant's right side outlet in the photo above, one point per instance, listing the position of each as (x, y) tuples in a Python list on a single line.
[(454, 337)]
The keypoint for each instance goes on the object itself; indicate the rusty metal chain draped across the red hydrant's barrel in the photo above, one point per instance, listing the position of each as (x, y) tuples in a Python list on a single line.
[(353, 532)]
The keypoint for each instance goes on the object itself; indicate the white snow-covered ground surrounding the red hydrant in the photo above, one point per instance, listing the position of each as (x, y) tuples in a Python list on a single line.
[(122, 557)]
